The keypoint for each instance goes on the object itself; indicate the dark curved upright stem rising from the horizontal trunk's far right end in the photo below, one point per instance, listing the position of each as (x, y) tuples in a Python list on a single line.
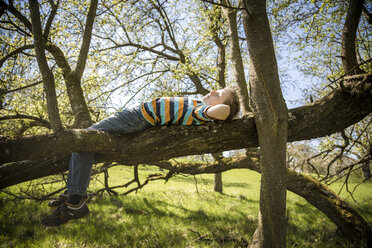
[(348, 47)]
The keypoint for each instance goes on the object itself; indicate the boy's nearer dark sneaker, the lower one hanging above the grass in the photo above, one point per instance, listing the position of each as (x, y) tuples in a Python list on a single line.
[(66, 212)]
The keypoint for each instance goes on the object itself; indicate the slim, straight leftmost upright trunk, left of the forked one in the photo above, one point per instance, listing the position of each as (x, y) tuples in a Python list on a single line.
[(46, 73)]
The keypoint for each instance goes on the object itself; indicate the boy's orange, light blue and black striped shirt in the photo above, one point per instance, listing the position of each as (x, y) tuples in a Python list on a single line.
[(175, 110)]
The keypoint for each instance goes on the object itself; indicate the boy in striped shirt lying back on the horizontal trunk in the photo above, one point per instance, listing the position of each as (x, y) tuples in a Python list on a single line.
[(217, 105)]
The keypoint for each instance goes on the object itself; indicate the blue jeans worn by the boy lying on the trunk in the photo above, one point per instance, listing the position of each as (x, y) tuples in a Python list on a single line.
[(80, 169)]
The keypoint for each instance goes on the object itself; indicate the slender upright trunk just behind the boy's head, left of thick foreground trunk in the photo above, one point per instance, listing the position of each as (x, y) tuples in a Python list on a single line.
[(236, 57)]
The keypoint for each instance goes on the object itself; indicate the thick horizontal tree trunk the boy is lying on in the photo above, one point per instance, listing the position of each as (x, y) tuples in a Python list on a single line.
[(336, 111)]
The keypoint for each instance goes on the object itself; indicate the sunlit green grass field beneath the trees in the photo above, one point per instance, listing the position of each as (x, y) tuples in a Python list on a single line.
[(179, 213)]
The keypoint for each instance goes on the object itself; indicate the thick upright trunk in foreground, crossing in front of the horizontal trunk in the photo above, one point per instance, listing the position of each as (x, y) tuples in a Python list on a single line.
[(271, 117)]
